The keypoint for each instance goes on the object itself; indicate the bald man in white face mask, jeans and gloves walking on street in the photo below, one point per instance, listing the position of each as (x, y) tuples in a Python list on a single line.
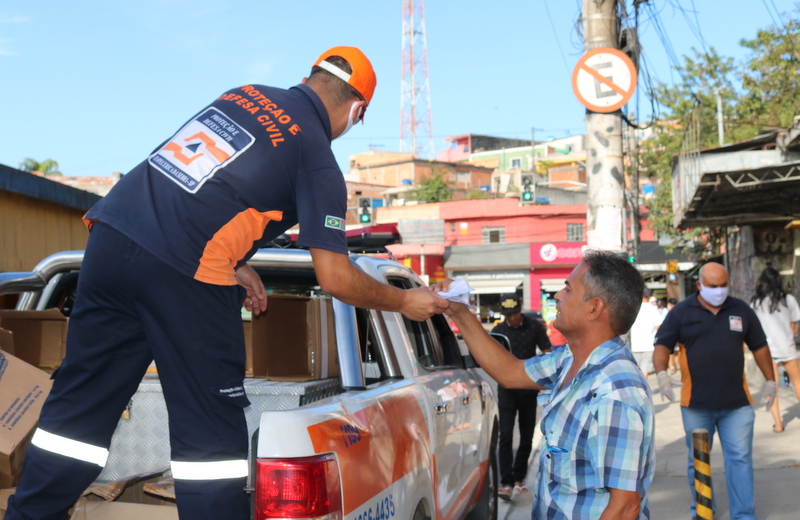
[(709, 328)]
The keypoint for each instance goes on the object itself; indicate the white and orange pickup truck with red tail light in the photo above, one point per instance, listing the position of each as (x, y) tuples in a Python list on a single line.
[(409, 431)]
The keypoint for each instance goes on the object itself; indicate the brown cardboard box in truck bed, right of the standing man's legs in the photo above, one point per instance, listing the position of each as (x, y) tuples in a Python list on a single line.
[(294, 340)]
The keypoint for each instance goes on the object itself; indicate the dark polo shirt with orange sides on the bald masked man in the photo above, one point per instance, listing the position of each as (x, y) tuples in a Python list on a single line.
[(711, 351)]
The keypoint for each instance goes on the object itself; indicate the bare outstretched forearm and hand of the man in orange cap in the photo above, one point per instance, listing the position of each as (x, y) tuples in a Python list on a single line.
[(339, 277)]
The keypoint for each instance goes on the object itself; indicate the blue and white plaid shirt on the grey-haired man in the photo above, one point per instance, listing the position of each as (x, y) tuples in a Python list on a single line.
[(597, 432)]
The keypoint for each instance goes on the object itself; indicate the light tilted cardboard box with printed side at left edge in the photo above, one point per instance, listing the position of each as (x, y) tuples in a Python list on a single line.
[(23, 389)]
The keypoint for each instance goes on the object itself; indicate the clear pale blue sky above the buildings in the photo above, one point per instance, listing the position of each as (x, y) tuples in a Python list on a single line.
[(97, 85)]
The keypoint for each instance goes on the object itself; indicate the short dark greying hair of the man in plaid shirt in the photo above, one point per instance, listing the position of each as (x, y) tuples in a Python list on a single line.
[(618, 283)]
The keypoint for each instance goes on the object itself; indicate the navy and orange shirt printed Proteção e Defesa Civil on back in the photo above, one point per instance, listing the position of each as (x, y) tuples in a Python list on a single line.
[(246, 168)]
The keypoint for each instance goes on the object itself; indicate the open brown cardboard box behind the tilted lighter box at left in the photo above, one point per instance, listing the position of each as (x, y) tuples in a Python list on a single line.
[(40, 337)]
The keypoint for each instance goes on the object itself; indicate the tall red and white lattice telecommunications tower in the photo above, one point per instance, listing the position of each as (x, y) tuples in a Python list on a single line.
[(416, 127)]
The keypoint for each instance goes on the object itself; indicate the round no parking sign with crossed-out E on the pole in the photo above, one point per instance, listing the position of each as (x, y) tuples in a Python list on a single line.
[(604, 79)]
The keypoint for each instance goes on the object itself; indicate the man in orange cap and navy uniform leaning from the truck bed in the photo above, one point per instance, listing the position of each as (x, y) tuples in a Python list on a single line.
[(165, 274)]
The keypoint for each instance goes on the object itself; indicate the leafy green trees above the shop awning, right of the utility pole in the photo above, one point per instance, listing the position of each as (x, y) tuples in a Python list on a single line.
[(766, 97)]
